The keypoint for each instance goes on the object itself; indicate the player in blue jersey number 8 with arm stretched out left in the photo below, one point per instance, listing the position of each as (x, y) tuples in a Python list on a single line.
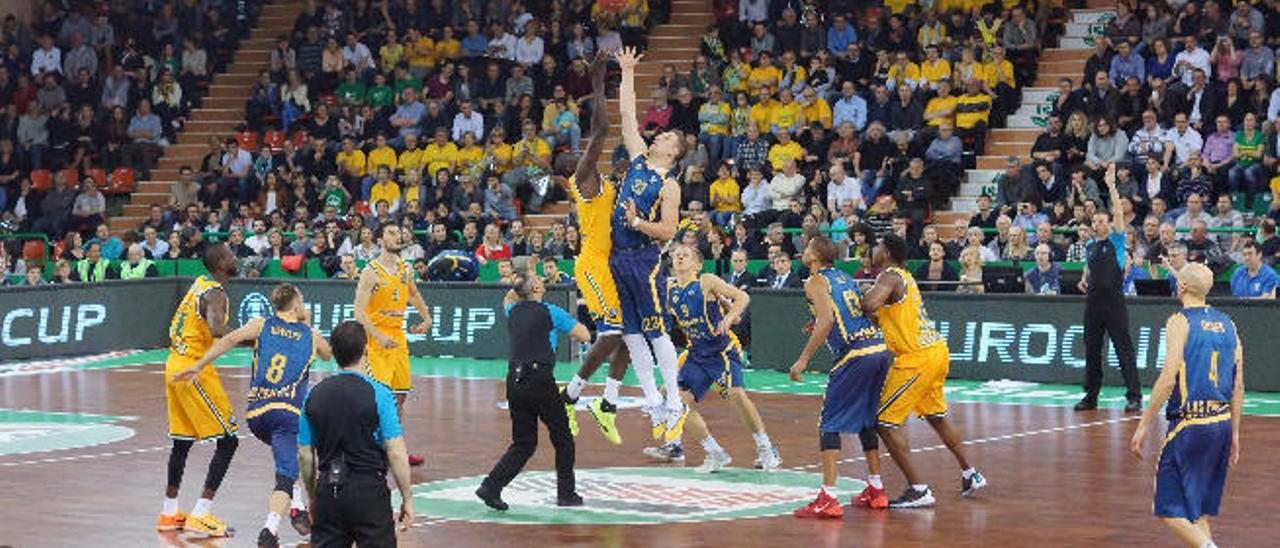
[(285, 346)]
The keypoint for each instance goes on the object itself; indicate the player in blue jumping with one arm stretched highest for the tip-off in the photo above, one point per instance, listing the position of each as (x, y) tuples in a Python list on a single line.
[(646, 216)]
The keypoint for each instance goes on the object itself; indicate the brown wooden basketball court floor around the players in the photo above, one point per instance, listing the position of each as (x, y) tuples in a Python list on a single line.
[(1058, 478)]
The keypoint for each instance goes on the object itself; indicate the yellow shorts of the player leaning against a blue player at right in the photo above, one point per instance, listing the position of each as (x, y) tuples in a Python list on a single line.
[(915, 385)]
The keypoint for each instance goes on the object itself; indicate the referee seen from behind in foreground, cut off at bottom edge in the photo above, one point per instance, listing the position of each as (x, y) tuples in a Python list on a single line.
[(350, 426)]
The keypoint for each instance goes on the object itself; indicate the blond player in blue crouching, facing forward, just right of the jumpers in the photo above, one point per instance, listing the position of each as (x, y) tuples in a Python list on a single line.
[(714, 358)]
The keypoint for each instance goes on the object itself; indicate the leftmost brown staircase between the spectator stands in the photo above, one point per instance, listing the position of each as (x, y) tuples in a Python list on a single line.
[(218, 117)]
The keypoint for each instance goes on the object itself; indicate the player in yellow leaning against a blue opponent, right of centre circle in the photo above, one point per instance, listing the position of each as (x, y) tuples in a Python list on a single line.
[(920, 371)]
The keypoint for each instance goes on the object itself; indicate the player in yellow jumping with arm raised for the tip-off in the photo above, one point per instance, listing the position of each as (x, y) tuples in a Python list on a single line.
[(595, 195)]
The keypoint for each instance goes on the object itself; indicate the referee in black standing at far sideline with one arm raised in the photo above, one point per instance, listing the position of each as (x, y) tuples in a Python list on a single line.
[(1105, 312)]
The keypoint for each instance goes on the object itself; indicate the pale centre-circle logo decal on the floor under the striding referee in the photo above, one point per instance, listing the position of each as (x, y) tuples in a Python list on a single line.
[(629, 496)]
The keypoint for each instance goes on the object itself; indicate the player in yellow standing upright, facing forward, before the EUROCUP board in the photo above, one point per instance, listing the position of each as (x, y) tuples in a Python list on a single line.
[(386, 289)]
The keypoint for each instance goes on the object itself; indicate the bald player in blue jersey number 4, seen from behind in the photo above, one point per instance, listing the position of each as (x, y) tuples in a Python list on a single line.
[(1204, 385)]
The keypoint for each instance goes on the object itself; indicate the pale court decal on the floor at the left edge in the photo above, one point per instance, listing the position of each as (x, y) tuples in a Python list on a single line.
[(35, 432)]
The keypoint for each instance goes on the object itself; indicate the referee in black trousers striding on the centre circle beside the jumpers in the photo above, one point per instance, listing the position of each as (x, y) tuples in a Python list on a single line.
[(533, 328)]
